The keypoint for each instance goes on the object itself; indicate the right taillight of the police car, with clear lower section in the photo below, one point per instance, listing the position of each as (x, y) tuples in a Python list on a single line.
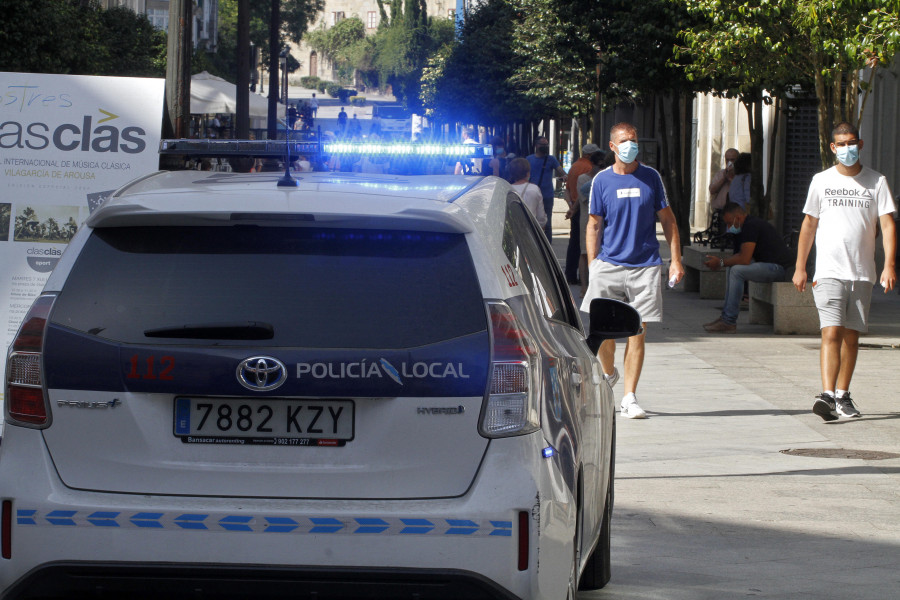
[(513, 404)]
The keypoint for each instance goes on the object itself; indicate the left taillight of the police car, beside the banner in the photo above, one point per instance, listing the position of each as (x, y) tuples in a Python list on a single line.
[(25, 402)]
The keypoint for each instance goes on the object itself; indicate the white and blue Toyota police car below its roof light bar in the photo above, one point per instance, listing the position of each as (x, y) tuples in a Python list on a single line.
[(355, 386)]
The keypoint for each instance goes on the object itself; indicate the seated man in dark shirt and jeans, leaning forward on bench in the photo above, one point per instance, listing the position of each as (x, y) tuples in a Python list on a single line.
[(759, 255)]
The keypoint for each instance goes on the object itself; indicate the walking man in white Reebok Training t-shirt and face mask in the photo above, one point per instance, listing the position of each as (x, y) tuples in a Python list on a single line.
[(843, 208)]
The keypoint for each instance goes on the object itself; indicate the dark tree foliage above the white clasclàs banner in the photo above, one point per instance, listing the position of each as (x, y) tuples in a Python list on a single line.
[(68, 36)]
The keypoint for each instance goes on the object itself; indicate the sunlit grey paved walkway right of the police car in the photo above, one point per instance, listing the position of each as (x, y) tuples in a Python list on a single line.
[(708, 505)]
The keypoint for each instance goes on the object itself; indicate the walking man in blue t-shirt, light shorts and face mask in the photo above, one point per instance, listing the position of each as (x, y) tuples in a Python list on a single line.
[(623, 252)]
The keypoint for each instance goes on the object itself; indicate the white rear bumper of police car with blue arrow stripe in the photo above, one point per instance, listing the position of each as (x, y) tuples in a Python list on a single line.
[(456, 547)]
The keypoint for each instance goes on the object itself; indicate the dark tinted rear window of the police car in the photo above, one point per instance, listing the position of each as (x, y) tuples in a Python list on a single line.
[(310, 287)]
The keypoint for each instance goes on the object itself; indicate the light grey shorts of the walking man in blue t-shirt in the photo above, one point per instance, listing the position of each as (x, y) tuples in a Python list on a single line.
[(638, 286)]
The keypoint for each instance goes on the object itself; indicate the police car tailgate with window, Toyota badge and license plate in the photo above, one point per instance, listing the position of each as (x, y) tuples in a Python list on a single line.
[(268, 361)]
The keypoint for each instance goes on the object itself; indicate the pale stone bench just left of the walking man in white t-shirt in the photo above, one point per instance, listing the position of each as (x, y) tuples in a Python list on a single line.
[(780, 304)]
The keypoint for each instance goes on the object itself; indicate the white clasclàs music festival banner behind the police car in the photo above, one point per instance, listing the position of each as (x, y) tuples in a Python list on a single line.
[(66, 143)]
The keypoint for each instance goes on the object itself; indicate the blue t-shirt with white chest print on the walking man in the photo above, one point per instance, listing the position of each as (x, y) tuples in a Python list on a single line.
[(628, 205)]
